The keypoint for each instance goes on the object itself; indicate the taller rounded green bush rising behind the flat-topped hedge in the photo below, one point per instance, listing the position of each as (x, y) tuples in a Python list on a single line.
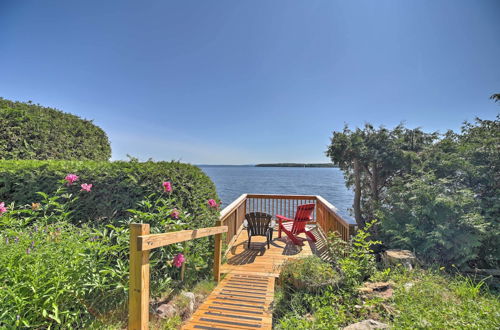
[(30, 131)]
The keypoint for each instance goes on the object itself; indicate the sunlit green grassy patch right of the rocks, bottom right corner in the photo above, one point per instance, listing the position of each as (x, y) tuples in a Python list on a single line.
[(437, 301)]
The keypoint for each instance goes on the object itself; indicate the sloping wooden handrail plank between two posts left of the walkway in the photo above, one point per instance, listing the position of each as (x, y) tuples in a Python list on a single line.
[(149, 242)]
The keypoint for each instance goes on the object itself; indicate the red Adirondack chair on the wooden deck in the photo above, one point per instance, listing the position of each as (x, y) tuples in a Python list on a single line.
[(294, 227)]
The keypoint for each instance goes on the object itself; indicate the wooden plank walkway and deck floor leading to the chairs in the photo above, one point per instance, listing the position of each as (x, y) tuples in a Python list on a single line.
[(243, 299)]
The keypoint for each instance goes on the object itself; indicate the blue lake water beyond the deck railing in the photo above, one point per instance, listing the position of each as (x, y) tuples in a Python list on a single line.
[(232, 181)]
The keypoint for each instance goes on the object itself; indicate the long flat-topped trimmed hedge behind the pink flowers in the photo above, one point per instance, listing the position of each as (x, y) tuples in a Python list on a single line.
[(117, 186)]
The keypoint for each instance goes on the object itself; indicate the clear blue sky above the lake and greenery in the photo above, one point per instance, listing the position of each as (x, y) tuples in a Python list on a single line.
[(240, 82)]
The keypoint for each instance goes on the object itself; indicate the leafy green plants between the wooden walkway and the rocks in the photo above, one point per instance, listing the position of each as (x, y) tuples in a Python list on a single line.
[(317, 294)]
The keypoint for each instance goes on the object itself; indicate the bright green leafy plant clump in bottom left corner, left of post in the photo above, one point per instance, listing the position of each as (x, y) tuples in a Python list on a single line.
[(55, 275)]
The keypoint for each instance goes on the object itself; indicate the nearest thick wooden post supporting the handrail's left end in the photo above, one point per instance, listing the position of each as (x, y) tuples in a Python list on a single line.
[(138, 299)]
